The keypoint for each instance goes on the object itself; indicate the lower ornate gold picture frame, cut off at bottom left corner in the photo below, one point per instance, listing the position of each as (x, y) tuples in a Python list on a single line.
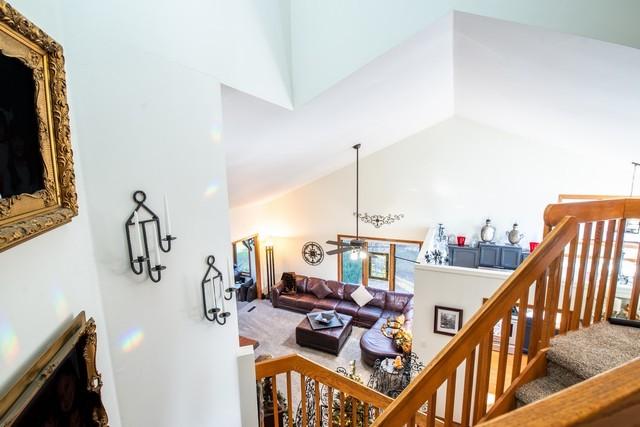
[(62, 385)]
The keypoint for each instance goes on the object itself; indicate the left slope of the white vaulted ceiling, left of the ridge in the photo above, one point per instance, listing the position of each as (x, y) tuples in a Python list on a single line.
[(271, 150)]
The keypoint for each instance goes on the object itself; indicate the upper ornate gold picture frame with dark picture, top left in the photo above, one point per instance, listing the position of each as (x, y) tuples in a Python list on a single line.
[(23, 213)]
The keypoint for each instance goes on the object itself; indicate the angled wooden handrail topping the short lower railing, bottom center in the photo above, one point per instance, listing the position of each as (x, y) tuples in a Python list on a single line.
[(311, 369)]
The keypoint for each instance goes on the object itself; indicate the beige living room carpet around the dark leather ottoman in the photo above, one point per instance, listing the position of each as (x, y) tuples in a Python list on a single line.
[(275, 329)]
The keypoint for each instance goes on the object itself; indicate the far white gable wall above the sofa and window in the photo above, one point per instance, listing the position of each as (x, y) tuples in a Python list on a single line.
[(458, 172)]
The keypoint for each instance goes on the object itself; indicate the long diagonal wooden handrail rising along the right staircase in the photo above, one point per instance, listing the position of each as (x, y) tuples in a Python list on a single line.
[(457, 350)]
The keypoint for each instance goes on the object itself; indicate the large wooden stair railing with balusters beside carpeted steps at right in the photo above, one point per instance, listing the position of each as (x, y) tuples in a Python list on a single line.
[(568, 282)]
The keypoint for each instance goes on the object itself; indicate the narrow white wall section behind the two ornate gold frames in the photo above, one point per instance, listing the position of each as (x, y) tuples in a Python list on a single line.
[(47, 281)]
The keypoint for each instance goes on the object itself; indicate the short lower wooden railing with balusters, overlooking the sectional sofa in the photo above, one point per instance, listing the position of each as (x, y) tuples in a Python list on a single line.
[(325, 394)]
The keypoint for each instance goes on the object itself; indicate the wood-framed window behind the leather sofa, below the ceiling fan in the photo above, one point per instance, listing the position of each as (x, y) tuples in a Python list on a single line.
[(389, 266)]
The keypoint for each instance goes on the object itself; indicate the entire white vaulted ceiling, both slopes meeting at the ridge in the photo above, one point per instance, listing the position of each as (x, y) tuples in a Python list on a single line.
[(548, 86)]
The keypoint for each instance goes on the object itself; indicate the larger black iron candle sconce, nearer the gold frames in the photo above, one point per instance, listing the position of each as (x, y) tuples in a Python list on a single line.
[(139, 253)]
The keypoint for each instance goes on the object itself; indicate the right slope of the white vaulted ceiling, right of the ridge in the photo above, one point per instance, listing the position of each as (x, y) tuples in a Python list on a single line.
[(551, 87)]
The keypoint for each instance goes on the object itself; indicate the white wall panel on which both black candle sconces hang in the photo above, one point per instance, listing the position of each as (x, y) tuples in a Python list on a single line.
[(152, 122)]
